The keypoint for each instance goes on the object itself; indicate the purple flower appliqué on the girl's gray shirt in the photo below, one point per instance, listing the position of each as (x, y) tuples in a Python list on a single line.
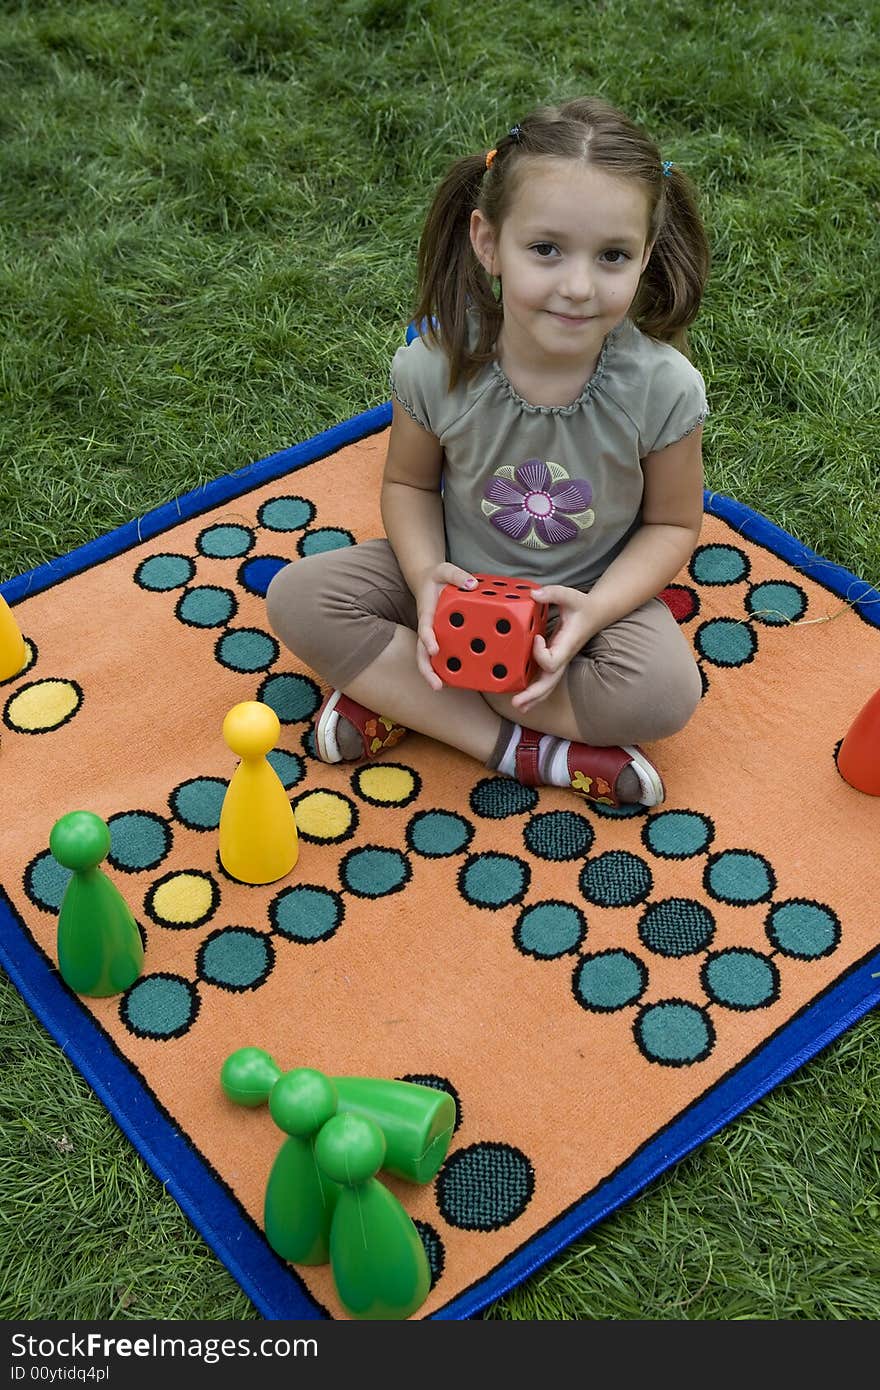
[(539, 504)]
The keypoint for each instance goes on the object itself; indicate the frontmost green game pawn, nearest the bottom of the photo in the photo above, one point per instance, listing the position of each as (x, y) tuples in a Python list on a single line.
[(376, 1254)]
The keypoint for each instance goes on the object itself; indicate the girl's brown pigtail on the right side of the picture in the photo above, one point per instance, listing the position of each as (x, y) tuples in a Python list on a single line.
[(675, 279)]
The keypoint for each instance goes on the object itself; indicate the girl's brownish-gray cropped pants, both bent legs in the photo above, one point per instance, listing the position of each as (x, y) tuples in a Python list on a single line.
[(635, 682)]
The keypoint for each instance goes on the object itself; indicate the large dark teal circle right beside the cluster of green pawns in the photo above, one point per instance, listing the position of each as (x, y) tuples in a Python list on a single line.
[(484, 1188)]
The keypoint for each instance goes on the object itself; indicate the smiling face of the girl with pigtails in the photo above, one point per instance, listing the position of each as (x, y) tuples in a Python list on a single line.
[(569, 254)]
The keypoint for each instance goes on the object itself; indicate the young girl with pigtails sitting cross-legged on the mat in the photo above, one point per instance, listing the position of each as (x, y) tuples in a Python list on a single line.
[(547, 427)]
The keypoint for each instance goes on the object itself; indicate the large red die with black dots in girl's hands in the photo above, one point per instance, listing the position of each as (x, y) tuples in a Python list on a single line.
[(486, 635)]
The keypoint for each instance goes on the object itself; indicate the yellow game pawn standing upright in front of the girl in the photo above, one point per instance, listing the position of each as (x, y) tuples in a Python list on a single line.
[(258, 831)]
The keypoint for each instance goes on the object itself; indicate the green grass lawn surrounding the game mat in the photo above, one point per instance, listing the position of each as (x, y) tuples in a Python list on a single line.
[(208, 251)]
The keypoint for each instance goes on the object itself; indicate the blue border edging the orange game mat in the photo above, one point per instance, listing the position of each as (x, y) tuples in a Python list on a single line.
[(269, 1282)]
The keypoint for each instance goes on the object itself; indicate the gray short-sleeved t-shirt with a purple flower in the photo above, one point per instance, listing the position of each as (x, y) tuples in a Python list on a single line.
[(550, 493)]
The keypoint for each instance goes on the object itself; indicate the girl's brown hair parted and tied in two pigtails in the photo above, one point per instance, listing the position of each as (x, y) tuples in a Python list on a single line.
[(453, 281)]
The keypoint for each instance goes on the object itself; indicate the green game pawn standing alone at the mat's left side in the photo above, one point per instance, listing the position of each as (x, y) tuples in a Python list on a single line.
[(101, 951)]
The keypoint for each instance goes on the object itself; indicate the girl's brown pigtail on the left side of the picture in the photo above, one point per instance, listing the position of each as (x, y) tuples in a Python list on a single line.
[(451, 279)]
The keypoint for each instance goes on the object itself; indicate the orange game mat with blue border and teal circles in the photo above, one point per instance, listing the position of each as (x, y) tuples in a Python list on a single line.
[(598, 990)]
